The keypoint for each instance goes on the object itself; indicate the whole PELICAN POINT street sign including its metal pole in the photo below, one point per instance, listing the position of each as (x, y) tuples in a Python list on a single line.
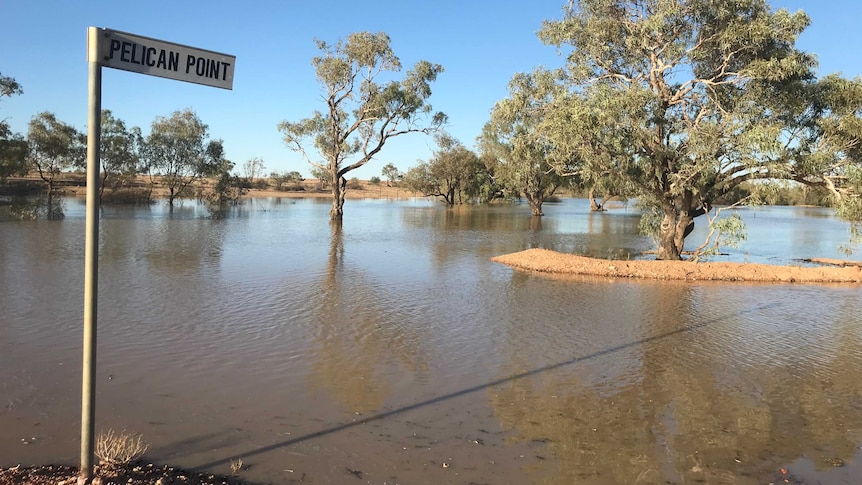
[(144, 55)]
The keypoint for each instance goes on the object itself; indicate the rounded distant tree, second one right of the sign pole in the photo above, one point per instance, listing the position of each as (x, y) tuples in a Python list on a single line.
[(179, 149)]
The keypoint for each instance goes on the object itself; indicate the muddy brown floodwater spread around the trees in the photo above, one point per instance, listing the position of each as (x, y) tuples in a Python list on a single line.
[(392, 350)]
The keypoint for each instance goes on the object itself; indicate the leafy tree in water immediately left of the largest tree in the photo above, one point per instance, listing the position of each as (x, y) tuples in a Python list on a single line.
[(519, 150)]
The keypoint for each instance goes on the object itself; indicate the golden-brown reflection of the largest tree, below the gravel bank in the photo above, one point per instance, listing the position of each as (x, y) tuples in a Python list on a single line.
[(656, 392)]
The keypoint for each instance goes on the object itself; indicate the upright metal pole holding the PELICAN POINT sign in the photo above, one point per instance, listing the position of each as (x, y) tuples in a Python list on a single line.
[(91, 254)]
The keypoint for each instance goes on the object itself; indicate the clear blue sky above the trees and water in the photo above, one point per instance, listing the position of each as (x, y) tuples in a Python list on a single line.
[(481, 44)]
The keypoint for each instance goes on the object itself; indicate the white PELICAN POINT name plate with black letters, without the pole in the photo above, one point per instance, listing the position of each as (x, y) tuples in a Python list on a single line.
[(130, 52)]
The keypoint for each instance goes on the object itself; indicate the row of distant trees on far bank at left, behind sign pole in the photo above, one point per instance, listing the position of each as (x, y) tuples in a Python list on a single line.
[(176, 155)]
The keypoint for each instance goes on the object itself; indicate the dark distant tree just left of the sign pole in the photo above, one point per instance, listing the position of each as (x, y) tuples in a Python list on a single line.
[(53, 147)]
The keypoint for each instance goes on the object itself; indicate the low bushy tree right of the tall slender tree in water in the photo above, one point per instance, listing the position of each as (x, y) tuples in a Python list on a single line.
[(454, 173)]
